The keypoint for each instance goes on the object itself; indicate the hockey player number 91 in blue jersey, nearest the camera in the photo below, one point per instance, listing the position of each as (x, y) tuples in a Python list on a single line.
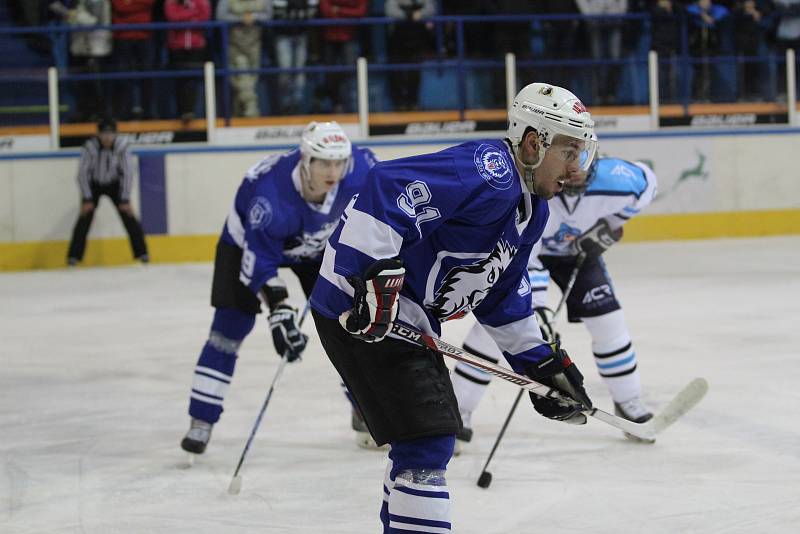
[(431, 238)]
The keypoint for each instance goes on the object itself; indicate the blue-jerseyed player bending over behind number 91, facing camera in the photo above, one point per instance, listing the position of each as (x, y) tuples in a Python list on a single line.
[(284, 211)]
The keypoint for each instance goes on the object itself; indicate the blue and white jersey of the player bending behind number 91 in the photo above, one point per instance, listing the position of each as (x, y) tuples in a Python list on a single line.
[(272, 223)]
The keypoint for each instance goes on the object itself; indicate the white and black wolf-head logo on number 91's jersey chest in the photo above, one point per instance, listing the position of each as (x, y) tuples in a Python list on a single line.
[(465, 286)]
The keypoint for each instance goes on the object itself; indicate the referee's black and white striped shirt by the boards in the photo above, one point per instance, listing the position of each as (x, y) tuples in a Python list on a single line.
[(105, 166)]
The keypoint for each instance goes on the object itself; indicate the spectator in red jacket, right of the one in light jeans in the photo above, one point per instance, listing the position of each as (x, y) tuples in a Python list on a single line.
[(340, 47)]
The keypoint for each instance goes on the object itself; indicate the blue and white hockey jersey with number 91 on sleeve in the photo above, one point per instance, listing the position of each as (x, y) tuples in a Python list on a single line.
[(464, 225)]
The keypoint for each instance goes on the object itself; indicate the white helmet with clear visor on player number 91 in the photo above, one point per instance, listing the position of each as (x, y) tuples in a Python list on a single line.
[(551, 110)]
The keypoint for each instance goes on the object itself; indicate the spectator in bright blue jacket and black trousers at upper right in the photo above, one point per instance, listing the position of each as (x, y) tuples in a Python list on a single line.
[(705, 20)]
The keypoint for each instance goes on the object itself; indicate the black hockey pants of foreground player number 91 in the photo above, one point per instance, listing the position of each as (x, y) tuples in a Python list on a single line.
[(403, 391)]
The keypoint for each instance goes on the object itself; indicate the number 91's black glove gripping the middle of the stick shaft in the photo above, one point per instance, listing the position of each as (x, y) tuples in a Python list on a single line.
[(558, 372)]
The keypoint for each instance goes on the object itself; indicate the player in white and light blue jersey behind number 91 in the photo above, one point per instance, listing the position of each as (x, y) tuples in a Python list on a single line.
[(587, 217)]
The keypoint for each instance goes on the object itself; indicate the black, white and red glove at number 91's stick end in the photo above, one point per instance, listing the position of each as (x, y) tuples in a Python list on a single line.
[(374, 300)]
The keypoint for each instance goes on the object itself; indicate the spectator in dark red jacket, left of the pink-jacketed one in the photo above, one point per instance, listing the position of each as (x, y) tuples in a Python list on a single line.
[(133, 52)]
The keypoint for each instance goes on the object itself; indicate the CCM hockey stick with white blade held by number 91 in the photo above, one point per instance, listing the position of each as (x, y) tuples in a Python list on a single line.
[(681, 404)]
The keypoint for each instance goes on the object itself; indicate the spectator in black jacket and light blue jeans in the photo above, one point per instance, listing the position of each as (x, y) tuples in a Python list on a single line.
[(291, 51)]
